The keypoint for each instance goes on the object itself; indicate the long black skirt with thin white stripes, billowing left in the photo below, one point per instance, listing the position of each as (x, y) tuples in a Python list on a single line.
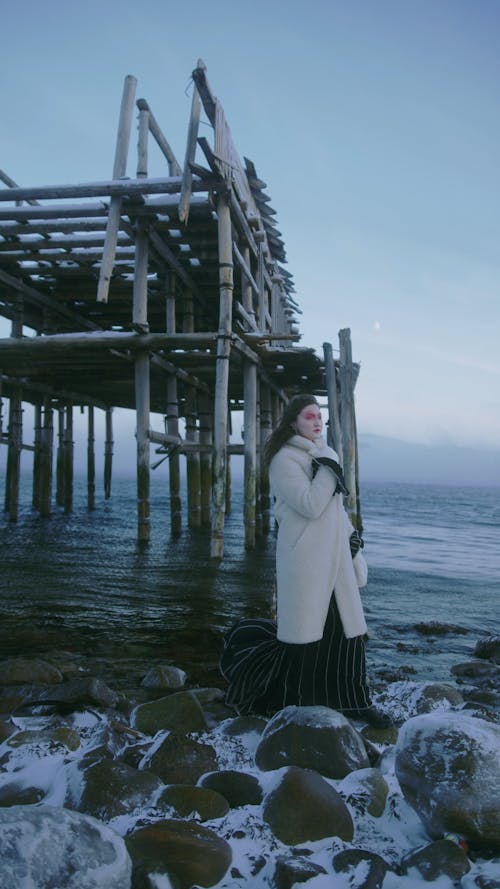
[(265, 674)]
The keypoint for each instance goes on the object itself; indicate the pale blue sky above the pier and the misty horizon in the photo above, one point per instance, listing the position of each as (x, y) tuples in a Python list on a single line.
[(375, 124)]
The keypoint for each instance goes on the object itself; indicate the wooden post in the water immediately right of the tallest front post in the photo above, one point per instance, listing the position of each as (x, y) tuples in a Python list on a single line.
[(250, 445)]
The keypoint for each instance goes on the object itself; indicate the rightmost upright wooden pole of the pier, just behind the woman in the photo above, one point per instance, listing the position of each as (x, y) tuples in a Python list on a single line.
[(347, 415)]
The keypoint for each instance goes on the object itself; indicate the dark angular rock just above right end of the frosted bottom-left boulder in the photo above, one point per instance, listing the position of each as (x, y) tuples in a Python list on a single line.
[(114, 788)]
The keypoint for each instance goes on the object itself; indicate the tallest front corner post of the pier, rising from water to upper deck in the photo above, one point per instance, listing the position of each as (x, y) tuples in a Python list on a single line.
[(222, 376)]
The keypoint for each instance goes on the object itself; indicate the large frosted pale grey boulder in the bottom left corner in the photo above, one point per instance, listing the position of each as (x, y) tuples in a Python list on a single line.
[(47, 847)]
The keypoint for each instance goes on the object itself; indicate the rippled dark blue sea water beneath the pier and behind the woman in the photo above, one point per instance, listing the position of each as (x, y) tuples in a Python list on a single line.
[(81, 581)]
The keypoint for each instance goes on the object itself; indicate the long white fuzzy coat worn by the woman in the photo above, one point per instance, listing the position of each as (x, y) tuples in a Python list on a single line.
[(312, 555)]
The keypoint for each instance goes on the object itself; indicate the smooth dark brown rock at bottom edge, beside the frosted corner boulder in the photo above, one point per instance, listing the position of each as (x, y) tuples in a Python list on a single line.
[(189, 853)]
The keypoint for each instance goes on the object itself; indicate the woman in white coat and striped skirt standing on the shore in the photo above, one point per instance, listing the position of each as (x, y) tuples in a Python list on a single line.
[(315, 653)]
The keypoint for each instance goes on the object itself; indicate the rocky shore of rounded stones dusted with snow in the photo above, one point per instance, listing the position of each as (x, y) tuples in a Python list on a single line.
[(113, 776)]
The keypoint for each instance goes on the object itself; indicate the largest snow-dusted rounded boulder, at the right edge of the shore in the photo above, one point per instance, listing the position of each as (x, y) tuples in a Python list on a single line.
[(448, 766)]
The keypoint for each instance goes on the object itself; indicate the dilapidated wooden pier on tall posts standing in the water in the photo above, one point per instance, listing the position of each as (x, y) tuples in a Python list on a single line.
[(167, 296)]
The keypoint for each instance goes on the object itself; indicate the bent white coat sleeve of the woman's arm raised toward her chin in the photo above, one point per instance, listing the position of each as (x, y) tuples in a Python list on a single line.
[(291, 483)]
